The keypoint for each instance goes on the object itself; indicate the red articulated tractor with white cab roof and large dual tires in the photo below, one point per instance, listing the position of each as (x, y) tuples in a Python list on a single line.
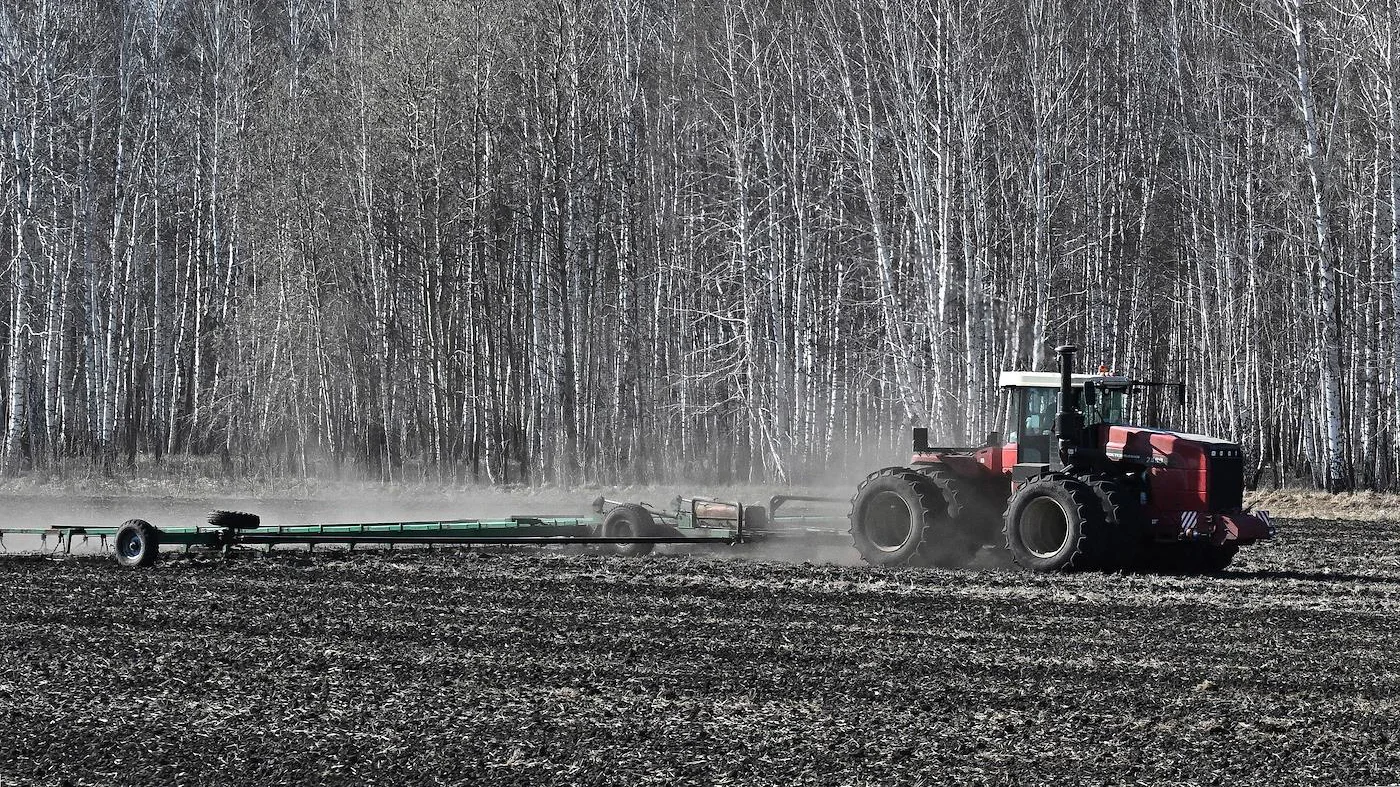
[(1072, 488)]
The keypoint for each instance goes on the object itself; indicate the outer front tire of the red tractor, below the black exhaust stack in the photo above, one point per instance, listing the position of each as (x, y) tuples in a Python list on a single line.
[(1053, 524)]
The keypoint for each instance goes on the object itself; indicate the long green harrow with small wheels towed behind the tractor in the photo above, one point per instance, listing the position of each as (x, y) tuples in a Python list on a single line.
[(628, 529)]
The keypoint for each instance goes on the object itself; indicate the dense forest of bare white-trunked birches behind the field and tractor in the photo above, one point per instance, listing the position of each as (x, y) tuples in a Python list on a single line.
[(562, 242)]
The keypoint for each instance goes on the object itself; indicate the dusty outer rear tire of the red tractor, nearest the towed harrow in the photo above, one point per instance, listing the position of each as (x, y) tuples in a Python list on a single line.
[(901, 519)]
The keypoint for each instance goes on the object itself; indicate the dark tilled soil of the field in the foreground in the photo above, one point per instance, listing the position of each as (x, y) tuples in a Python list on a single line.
[(547, 669)]
